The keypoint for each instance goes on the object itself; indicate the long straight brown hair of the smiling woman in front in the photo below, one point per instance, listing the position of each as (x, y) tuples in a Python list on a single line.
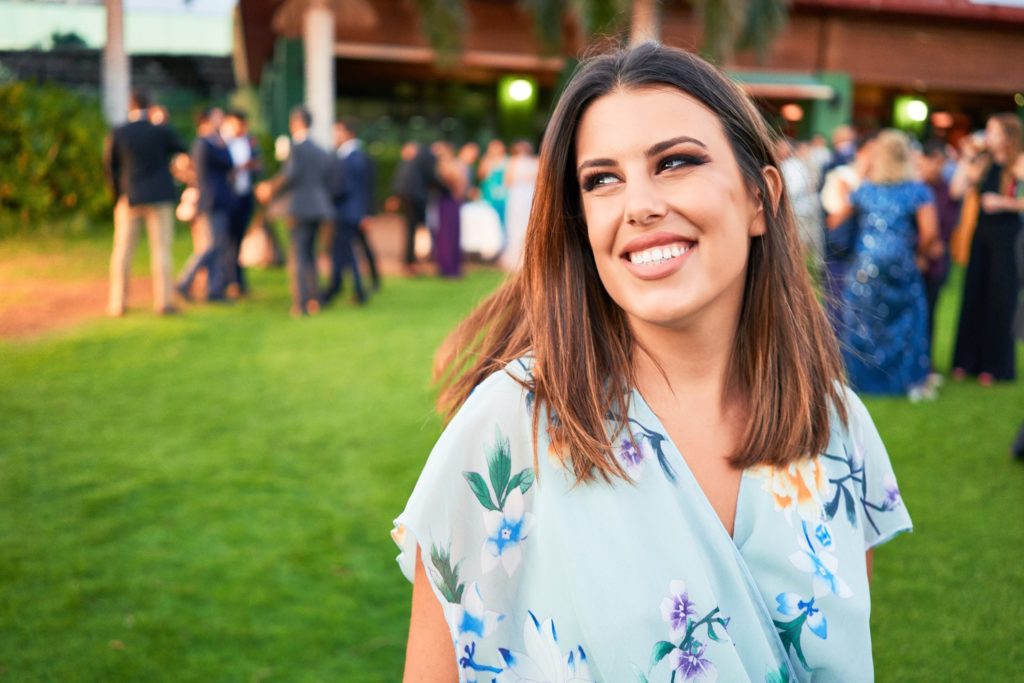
[(786, 358)]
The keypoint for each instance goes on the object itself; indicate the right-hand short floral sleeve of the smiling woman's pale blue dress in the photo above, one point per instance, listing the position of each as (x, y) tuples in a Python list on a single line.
[(883, 513)]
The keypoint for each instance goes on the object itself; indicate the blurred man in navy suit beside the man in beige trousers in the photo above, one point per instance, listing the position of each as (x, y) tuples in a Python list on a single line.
[(212, 164)]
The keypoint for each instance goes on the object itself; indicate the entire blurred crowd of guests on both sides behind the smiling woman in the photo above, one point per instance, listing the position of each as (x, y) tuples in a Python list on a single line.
[(880, 218)]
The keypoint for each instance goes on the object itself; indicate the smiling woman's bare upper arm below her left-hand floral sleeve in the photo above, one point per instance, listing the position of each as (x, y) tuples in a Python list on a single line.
[(430, 654)]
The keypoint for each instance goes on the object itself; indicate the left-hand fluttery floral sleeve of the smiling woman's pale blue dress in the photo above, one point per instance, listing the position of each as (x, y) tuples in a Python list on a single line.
[(472, 519)]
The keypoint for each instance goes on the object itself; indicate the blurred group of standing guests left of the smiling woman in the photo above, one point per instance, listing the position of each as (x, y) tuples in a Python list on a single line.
[(455, 203)]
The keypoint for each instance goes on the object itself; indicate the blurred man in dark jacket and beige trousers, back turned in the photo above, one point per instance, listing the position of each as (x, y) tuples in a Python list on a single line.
[(138, 162)]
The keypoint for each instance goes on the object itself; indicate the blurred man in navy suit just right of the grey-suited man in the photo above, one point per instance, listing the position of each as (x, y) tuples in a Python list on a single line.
[(353, 193)]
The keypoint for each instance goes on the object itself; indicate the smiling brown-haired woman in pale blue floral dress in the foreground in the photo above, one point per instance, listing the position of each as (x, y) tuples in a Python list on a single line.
[(653, 471)]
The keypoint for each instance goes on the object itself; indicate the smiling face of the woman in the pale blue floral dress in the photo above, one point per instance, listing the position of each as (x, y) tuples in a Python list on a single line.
[(669, 216)]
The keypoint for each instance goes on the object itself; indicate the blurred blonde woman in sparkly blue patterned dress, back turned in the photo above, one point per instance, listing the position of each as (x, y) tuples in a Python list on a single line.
[(885, 311)]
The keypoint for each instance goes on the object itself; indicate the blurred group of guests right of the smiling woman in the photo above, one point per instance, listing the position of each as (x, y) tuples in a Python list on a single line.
[(881, 218)]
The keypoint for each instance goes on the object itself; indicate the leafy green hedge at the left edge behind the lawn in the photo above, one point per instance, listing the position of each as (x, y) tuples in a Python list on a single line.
[(52, 172)]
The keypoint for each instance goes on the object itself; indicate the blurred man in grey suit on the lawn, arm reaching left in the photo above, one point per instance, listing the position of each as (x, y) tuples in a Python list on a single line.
[(304, 184)]
